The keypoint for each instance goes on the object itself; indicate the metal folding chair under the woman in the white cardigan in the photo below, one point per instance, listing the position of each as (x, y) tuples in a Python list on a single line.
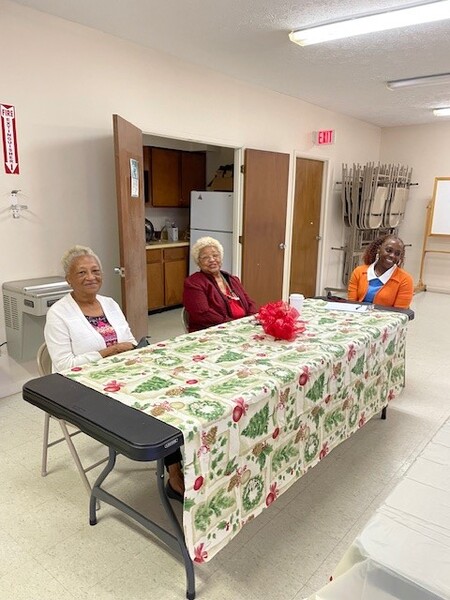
[(45, 368)]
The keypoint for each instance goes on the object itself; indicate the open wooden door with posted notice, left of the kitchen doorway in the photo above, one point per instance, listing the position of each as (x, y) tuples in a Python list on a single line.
[(131, 216)]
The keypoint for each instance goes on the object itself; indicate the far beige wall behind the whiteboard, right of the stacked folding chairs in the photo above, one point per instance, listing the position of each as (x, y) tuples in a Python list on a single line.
[(426, 148)]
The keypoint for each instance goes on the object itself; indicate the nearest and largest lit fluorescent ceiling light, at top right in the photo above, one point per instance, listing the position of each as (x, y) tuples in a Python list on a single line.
[(401, 17)]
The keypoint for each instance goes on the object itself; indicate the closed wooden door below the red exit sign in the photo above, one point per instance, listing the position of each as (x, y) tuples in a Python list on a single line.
[(306, 226)]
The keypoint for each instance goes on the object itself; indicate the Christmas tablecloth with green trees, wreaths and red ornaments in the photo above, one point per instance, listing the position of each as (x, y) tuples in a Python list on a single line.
[(256, 413)]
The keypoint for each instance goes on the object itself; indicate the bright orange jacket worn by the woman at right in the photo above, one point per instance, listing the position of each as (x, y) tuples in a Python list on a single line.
[(397, 292)]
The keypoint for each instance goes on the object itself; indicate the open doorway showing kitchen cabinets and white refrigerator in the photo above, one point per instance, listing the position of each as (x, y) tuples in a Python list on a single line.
[(182, 192)]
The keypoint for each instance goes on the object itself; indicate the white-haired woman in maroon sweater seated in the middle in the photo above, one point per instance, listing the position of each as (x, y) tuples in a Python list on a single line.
[(212, 296)]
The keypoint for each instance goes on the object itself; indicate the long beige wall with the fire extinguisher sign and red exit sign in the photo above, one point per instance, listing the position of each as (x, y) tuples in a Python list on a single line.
[(66, 81)]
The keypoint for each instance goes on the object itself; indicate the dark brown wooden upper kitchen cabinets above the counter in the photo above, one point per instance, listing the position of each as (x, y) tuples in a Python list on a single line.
[(172, 175)]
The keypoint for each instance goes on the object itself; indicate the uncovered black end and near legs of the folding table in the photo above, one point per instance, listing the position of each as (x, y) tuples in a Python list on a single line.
[(124, 430)]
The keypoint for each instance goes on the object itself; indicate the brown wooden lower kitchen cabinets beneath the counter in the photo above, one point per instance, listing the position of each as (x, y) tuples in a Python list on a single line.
[(166, 271)]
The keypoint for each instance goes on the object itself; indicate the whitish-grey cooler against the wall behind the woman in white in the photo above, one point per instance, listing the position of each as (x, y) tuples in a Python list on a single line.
[(26, 302)]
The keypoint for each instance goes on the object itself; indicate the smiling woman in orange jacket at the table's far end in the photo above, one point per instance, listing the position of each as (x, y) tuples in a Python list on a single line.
[(381, 280)]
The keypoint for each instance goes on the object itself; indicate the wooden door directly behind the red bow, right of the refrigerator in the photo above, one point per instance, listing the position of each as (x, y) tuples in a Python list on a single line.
[(266, 176)]
